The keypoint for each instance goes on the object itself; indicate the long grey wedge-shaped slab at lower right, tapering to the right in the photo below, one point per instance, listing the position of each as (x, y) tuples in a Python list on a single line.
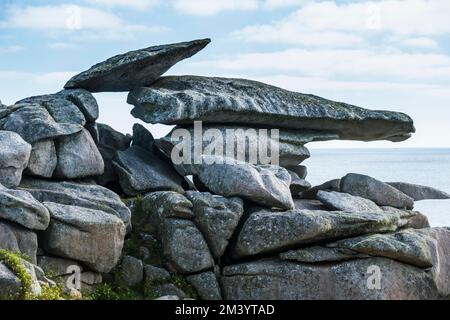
[(270, 231)]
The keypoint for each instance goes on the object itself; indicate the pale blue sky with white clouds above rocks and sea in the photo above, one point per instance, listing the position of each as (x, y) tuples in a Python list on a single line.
[(385, 55)]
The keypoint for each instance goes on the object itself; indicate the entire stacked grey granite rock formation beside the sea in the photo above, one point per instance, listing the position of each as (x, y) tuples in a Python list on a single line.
[(233, 228)]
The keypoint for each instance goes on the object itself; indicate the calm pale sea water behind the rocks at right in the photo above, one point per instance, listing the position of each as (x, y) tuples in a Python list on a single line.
[(421, 166)]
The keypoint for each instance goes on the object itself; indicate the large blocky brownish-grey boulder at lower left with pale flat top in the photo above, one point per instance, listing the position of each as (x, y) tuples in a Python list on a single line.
[(93, 237)]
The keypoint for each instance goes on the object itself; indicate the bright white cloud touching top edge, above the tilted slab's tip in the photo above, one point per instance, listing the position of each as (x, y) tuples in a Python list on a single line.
[(212, 7)]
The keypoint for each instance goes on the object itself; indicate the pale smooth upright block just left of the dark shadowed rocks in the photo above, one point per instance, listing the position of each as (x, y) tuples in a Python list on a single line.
[(78, 157)]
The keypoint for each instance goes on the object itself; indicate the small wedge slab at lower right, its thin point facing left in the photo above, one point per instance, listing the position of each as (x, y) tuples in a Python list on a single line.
[(415, 247)]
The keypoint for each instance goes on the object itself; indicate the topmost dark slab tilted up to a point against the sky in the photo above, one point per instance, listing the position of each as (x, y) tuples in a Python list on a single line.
[(136, 68)]
